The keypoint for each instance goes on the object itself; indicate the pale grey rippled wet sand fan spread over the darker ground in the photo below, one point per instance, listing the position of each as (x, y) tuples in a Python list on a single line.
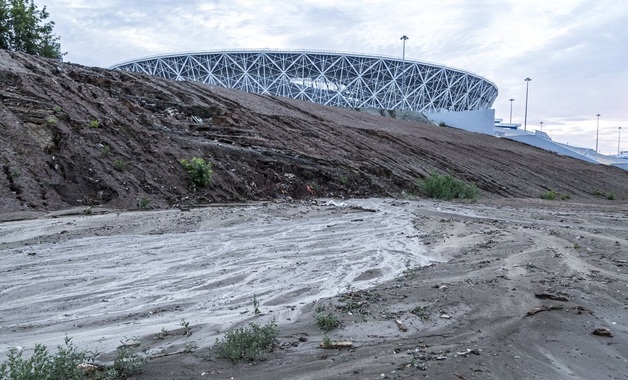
[(100, 278)]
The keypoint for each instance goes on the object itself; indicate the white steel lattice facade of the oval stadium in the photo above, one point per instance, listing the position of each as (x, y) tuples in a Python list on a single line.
[(336, 79)]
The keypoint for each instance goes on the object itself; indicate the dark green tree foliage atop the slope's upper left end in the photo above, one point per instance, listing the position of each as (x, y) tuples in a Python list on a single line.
[(23, 27)]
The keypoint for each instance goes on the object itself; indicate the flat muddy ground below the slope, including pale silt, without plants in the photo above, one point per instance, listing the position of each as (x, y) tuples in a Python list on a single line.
[(523, 285)]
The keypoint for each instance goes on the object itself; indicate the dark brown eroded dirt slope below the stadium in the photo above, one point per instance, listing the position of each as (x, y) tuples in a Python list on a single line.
[(75, 135)]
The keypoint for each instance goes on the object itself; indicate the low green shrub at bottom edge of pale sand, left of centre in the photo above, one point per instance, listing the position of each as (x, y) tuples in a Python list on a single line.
[(248, 343)]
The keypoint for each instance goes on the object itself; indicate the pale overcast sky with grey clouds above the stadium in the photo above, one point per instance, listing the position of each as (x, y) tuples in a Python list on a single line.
[(575, 51)]
